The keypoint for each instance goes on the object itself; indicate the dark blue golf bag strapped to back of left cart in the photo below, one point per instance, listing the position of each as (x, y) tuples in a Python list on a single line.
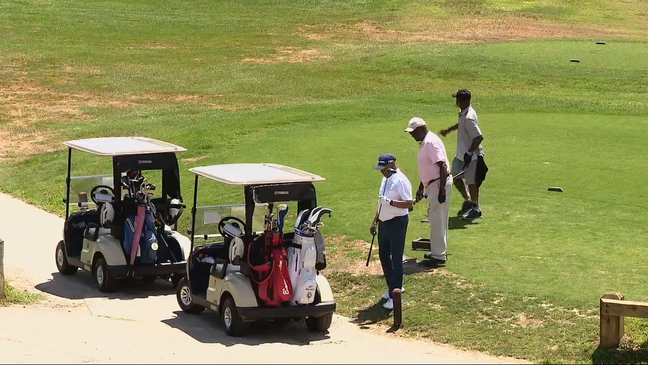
[(147, 250)]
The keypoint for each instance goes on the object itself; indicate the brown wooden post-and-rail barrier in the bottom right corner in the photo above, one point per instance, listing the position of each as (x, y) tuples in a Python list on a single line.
[(613, 310)]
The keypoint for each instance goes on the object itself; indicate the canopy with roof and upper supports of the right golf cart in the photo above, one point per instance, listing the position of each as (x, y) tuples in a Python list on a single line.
[(263, 183)]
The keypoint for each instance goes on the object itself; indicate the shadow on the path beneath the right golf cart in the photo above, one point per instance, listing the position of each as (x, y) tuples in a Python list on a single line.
[(207, 328)]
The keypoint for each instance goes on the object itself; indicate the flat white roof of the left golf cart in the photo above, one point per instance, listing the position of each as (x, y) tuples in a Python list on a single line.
[(121, 146)]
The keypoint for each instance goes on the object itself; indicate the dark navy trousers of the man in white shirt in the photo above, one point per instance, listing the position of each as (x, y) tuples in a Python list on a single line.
[(391, 244)]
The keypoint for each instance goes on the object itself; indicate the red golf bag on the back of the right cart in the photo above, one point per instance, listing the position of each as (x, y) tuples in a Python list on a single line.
[(271, 276)]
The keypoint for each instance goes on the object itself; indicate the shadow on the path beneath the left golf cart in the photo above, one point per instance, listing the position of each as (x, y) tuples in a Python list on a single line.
[(82, 286)]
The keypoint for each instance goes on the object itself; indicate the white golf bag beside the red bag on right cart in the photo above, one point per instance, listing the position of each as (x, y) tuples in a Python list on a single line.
[(302, 257)]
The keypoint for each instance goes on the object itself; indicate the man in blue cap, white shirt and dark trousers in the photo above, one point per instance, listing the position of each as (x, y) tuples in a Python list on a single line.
[(395, 202)]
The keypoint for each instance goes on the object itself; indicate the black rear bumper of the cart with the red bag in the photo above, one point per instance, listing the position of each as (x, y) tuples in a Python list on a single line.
[(256, 314)]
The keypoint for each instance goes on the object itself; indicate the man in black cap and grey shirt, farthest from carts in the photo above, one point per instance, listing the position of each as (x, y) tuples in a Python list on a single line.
[(469, 156)]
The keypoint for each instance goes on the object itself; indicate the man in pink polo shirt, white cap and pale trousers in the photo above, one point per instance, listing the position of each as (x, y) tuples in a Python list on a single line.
[(436, 183)]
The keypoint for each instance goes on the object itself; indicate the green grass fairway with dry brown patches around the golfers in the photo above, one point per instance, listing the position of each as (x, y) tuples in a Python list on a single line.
[(326, 86)]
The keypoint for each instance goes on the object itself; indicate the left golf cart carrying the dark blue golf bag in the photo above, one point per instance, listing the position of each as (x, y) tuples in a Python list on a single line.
[(122, 230)]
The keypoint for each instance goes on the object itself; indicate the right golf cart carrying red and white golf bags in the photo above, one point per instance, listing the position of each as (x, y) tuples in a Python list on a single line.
[(253, 270)]
